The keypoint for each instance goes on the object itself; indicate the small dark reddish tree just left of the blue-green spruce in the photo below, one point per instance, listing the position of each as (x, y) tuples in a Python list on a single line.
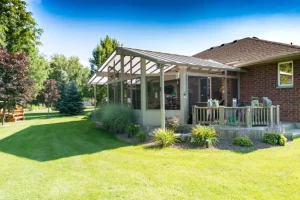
[(50, 93)]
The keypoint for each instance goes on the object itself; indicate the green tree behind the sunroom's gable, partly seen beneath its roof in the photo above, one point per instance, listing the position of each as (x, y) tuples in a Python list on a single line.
[(100, 54)]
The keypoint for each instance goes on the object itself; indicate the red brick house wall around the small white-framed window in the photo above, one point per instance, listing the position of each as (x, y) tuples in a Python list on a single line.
[(261, 81)]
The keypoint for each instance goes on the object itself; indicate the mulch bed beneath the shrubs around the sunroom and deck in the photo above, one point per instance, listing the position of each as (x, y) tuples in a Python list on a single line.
[(221, 145)]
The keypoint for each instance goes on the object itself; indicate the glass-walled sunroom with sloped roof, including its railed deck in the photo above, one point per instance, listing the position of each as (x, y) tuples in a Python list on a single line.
[(135, 78)]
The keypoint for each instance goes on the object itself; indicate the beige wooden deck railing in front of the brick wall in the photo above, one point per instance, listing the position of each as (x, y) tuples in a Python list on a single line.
[(236, 116)]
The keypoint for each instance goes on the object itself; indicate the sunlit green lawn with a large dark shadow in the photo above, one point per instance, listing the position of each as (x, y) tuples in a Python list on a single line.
[(69, 158)]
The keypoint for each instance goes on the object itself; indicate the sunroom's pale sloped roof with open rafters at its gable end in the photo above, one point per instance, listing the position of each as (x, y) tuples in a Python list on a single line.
[(132, 64)]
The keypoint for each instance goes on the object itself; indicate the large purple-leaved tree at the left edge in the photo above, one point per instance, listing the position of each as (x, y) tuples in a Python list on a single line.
[(16, 87)]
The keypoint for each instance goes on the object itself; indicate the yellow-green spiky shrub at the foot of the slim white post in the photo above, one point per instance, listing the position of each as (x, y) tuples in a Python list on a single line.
[(164, 137)]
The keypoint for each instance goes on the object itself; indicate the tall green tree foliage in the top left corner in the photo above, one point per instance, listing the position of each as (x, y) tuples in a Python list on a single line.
[(19, 31)]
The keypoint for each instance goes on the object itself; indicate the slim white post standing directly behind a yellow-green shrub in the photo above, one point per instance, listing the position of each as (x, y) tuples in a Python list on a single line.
[(162, 97)]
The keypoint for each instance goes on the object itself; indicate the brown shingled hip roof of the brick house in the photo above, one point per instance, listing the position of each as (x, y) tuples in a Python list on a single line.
[(248, 50)]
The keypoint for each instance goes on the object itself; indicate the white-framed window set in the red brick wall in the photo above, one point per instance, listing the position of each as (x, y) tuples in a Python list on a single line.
[(285, 74)]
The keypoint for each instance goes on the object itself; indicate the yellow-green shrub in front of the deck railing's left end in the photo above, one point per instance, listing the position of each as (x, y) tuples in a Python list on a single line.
[(201, 134)]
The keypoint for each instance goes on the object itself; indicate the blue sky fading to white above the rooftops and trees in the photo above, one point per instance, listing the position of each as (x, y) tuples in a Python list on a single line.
[(74, 27)]
